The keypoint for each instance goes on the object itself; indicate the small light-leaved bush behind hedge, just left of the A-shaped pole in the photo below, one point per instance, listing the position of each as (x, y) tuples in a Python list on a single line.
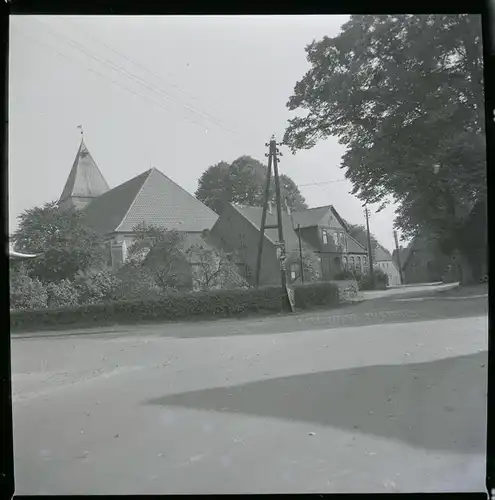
[(213, 269)]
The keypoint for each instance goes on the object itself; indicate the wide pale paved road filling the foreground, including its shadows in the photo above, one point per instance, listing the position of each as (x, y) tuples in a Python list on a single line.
[(385, 396)]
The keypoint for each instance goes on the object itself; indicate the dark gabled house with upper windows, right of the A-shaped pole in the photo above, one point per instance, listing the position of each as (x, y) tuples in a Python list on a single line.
[(327, 233)]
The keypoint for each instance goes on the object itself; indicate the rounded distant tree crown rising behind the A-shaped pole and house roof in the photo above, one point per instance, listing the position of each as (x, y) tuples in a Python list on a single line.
[(243, 181)]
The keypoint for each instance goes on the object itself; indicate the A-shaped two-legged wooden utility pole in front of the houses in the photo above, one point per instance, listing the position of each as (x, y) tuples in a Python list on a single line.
[(272, 160)]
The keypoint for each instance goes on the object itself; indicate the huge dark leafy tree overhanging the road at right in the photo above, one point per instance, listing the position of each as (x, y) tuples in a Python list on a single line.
[(404, 94)]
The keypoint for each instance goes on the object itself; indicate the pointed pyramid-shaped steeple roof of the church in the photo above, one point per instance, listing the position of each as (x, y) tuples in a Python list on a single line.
[(85, 179)]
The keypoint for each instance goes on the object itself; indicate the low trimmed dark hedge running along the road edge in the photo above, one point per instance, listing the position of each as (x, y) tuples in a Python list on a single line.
[(215, 303)]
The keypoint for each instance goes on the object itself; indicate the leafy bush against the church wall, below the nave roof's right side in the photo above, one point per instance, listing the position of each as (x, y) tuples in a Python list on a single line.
[(160, 254)]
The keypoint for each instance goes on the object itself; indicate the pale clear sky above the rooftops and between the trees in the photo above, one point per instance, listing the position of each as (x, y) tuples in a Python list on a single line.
[(175, 93)]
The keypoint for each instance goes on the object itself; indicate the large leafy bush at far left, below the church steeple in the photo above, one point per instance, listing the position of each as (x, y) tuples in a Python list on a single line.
[(66, 243)]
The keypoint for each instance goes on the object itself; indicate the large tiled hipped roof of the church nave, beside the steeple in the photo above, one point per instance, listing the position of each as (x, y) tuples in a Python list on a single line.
[(150, 197)]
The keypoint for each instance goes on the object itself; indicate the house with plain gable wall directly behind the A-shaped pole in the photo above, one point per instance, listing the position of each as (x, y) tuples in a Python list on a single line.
[(237, 230)]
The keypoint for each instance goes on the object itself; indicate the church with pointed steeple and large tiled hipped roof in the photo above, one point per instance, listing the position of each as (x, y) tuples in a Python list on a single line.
[(150, 197)]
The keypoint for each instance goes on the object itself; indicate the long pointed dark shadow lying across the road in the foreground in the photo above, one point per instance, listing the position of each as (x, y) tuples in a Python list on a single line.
[(438, 405)]
